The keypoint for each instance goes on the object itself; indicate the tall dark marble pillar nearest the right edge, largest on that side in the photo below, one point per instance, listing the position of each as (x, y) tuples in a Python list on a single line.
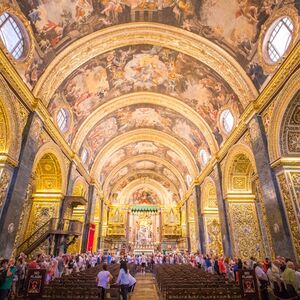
[(281, 237)]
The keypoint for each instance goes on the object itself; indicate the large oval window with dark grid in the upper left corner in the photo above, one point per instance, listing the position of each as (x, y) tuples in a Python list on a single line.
[(11, 35)]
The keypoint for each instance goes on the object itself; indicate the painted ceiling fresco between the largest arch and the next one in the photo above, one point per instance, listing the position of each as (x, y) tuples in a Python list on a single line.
[(145, 68)]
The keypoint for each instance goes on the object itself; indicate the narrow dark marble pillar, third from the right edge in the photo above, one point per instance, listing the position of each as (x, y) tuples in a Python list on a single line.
[(199, 219)]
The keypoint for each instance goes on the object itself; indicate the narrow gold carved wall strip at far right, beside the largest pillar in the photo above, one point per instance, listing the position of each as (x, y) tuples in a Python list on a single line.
[(291, 213)]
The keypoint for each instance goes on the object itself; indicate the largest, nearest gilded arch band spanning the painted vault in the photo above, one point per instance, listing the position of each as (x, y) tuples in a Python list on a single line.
[(140, 33)]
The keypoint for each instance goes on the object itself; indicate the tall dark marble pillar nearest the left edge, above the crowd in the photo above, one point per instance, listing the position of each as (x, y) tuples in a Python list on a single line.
[(16, 193)]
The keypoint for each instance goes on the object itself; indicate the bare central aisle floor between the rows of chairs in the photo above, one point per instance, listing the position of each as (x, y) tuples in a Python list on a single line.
[(145, 288)]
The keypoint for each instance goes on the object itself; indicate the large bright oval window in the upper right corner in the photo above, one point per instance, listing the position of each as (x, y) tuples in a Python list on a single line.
[(279, 38)]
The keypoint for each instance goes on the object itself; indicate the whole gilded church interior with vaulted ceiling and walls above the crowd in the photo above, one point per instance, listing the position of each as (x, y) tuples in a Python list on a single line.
[(150, 125)]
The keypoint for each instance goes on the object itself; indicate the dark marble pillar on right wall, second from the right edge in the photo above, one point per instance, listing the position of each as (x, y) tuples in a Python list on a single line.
[(223, 214)]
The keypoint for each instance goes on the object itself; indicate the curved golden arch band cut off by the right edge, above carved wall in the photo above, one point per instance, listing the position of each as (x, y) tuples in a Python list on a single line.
[(283, 100)]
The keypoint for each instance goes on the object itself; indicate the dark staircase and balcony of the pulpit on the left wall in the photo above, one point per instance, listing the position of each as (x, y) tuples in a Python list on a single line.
[(52, 228)]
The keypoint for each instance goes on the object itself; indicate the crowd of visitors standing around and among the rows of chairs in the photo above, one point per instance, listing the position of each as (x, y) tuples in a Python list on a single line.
[(281, 274)]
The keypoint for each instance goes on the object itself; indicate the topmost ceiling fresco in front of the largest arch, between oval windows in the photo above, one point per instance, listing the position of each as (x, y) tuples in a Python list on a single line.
[(58, 23)]
